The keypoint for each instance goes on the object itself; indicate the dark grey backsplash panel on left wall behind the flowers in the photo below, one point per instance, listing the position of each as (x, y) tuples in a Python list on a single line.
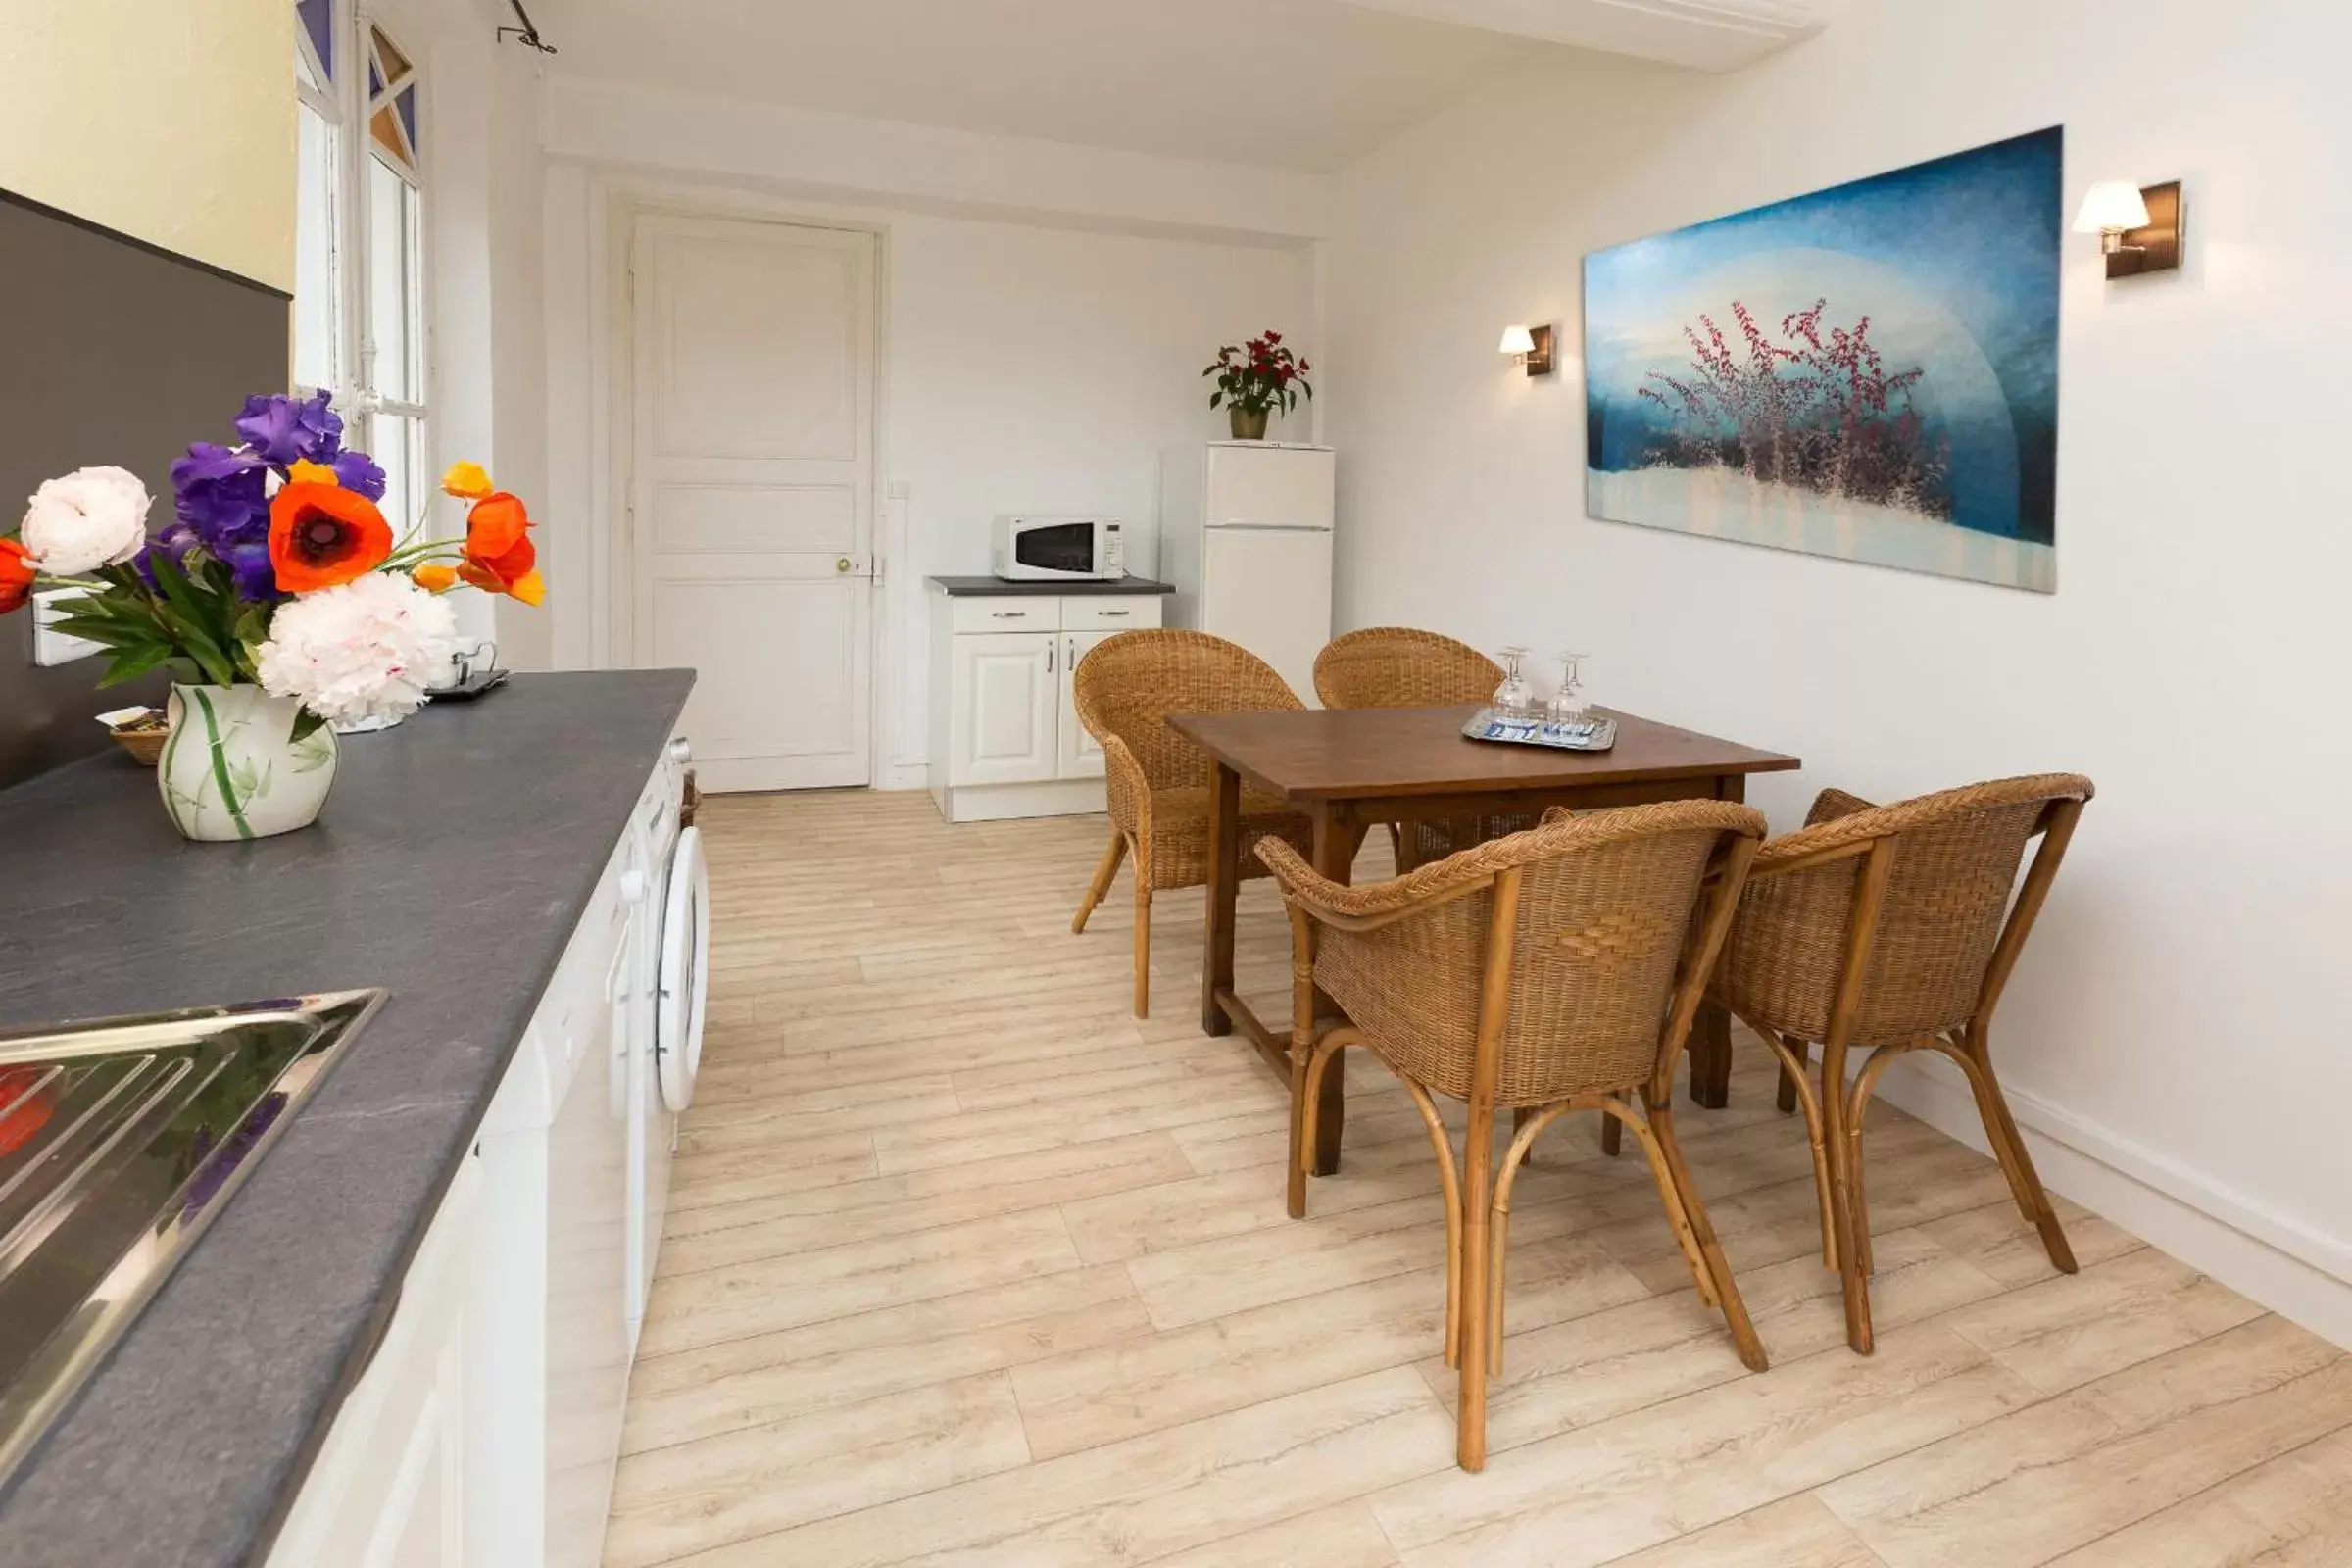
[(112, 351)]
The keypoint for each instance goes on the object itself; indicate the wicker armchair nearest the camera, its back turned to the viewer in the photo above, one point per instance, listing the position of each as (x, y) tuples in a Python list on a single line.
[(1549, 972)]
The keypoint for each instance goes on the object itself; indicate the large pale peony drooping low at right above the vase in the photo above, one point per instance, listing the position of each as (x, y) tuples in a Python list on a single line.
[(359, 652)]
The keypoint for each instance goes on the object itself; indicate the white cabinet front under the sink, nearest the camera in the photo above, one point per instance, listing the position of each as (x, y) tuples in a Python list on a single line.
[(389, 1487)]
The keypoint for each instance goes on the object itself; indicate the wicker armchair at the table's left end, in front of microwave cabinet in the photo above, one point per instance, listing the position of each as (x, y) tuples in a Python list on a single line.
[(1125, 690)]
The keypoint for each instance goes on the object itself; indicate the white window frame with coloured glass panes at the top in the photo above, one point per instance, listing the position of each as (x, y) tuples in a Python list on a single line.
[(349, 107)]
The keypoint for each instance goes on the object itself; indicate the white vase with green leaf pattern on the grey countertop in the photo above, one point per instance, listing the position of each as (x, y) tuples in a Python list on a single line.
[(234, 768)]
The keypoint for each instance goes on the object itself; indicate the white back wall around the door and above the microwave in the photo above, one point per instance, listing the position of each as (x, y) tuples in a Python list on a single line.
[(1031, 359)]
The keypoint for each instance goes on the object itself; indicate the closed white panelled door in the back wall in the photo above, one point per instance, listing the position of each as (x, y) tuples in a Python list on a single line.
[(751, 492)]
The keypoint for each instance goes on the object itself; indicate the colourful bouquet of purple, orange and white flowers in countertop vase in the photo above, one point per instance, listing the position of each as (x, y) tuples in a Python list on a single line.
[(276, 570)]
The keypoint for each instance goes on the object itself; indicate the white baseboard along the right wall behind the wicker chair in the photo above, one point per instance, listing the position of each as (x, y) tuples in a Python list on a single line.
[(2278, 1261)]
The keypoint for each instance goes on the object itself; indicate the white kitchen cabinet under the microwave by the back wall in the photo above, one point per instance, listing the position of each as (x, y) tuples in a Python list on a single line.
[(1005, 735)]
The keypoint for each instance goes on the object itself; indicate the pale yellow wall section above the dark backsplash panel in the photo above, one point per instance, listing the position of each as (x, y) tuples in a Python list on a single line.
[(159, 119)]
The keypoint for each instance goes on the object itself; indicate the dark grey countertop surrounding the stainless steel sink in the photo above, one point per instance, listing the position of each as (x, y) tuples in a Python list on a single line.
[(450, 869)]
